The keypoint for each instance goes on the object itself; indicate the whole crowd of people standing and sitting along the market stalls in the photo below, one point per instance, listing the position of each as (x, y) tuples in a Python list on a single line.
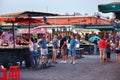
[(64, 43)]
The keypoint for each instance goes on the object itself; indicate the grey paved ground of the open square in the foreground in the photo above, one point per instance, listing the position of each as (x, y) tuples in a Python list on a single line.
[(87, 68)]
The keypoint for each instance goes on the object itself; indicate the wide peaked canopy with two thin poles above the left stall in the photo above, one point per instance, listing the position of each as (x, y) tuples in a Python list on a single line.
[(29, 15)]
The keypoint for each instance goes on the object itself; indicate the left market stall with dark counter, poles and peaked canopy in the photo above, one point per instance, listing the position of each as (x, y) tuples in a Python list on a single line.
[(12, 54)]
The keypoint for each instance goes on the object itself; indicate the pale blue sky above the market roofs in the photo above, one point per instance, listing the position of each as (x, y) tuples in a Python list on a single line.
[(53, 6)]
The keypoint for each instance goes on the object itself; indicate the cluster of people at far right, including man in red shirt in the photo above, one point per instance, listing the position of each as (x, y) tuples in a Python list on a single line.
[(107, 46)]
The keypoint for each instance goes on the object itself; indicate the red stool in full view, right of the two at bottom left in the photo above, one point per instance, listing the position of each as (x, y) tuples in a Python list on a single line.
[(14, 73)]
